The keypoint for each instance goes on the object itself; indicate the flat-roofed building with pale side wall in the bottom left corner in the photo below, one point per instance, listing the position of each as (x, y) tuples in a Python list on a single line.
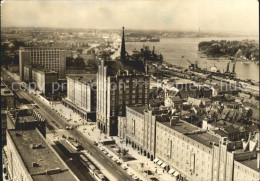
[(30, 158)]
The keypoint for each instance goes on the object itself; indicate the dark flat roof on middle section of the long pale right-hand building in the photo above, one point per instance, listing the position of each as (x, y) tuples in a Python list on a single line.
[(202, 137)]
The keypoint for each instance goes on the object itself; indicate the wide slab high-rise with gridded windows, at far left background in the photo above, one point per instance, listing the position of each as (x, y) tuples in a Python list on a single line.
[(51, 58)]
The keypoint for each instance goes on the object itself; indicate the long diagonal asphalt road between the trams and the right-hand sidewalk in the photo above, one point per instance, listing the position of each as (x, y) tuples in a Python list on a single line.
[(54, 119)]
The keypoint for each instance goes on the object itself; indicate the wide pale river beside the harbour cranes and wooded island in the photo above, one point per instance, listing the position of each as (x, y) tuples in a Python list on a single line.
[(173, 49)]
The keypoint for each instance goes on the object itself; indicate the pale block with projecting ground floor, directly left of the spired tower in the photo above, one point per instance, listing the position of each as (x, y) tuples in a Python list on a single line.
[(81, 95)]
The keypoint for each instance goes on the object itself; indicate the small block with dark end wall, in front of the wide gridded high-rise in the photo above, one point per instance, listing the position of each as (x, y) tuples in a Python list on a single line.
[(45, 80)]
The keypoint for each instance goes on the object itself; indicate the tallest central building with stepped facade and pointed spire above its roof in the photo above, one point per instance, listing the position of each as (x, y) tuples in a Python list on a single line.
[(119, 83)]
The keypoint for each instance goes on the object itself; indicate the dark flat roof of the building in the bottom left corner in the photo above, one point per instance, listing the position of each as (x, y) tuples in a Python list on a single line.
[(44, 156)]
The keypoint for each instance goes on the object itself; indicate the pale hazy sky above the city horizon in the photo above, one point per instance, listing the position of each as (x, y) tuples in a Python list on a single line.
[(218, 15)]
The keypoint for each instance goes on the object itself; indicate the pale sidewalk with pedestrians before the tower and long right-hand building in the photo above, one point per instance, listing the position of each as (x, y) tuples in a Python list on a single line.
[(94, 134)]
